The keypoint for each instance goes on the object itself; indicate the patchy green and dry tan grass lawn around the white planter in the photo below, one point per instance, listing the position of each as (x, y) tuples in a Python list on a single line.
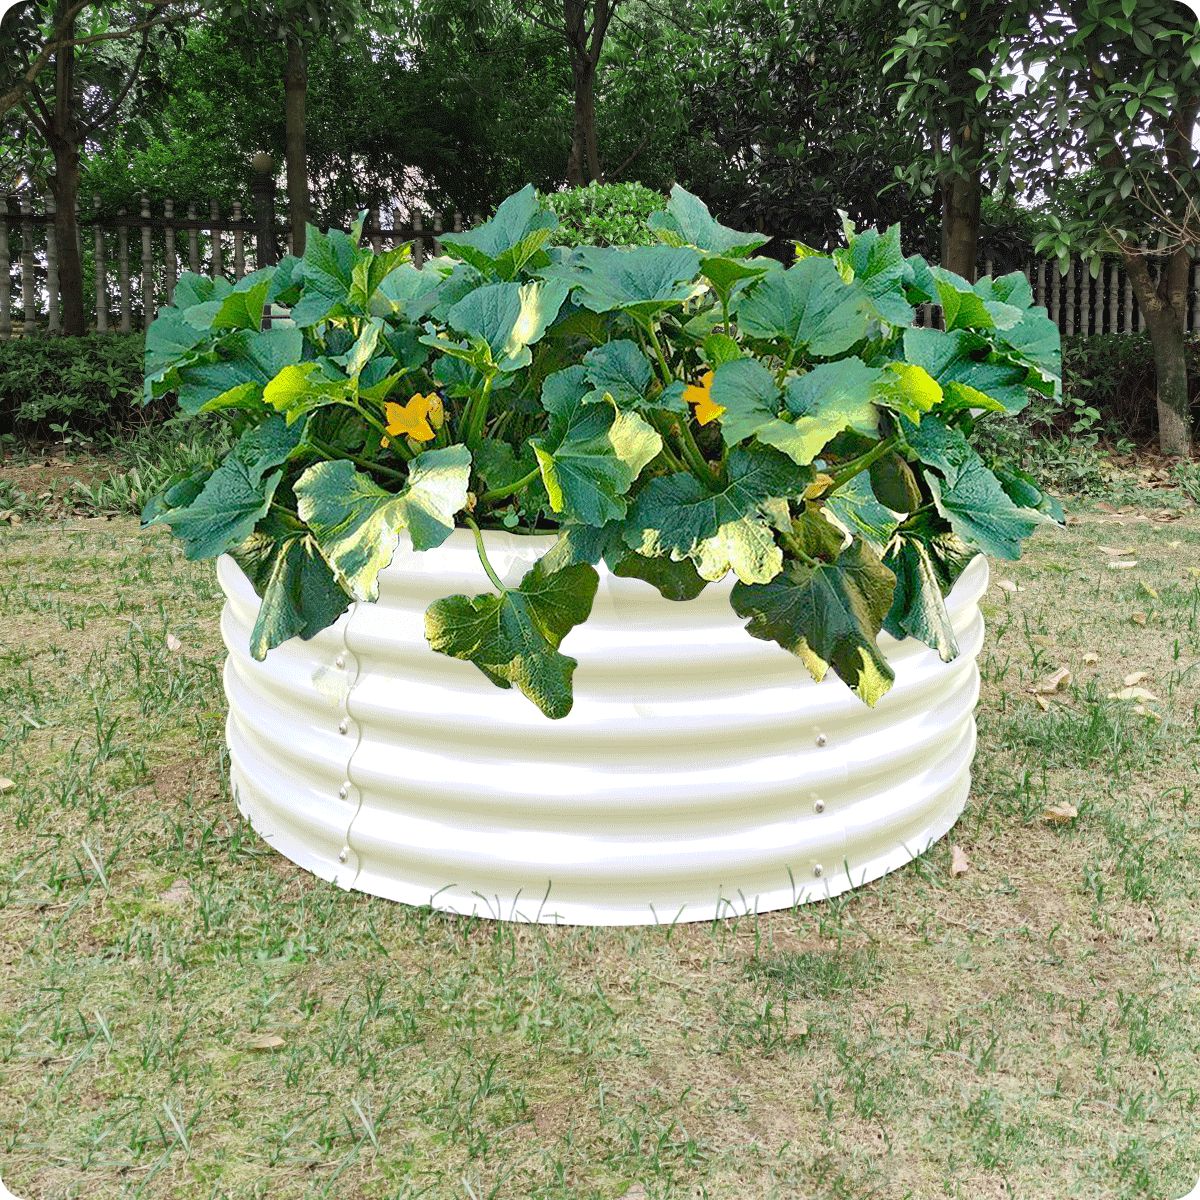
[(184, 1013)]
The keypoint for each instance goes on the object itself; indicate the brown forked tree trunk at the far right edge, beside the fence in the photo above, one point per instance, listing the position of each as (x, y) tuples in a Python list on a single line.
[(1166, 308)]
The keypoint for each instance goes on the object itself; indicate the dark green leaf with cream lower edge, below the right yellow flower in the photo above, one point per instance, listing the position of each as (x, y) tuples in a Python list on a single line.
[(721, 531)]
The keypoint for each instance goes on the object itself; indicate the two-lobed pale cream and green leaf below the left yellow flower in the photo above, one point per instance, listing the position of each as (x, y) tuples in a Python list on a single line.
[(356, 521)]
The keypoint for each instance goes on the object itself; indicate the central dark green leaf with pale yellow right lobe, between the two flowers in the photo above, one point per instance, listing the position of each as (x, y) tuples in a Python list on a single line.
[(591, 454)]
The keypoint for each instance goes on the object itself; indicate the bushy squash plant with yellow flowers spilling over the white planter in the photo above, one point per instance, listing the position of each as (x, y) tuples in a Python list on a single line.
[(679, 411)]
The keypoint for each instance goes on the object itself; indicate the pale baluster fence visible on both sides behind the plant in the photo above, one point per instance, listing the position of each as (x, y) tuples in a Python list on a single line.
[(231, 245)]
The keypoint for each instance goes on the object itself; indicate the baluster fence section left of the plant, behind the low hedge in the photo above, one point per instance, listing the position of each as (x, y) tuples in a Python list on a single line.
[(128, 293)]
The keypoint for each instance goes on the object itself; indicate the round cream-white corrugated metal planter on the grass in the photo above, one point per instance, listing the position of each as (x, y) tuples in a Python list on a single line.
[(701, 772)]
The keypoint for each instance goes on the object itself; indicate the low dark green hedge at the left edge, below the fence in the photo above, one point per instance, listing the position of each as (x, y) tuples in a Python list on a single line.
[(92, 385)]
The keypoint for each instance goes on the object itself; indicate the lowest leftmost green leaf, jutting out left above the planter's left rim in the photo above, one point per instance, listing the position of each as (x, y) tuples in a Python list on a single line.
[(238, 494)]
